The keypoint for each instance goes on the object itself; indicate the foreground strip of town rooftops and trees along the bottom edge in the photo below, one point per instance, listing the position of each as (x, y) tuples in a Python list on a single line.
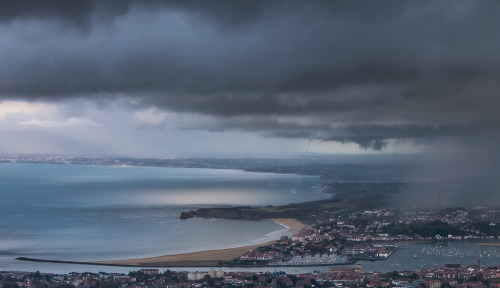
[(453, 275)]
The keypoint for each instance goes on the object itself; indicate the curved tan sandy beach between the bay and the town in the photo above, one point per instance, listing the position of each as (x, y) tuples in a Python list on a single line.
[(202, 258)]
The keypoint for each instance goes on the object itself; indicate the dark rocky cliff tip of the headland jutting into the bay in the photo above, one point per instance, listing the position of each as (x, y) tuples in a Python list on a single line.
[(224, 213)]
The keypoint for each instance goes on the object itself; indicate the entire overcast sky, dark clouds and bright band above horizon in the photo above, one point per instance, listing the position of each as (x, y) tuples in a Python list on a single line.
[(205, 78)]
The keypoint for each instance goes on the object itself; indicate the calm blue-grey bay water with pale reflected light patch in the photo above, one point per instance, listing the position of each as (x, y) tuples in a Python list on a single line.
[(84, 213)]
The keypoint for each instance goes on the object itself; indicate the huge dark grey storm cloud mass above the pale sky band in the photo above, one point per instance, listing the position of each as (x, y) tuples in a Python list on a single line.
[(331, 70)]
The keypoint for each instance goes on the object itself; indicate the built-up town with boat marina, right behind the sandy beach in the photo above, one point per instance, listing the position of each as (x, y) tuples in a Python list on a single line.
[(371, 235)]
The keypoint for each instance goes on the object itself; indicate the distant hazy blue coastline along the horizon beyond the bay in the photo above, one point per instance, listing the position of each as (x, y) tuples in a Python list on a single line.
[(323, 166)]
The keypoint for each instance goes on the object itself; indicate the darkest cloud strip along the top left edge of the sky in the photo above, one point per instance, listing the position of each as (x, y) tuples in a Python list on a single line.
[(81, 12)]
